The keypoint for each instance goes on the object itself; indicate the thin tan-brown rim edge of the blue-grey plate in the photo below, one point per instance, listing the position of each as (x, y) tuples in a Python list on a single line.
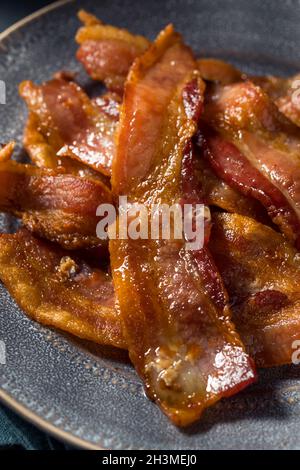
[(5, 398)]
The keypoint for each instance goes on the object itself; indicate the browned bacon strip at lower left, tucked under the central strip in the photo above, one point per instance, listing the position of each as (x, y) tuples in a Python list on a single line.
[(59, 291)]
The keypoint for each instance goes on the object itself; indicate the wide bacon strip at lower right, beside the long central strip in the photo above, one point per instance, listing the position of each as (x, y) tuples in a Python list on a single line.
[(262, 274)]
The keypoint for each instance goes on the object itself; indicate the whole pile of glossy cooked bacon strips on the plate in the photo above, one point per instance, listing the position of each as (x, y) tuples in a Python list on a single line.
[(169, 128)]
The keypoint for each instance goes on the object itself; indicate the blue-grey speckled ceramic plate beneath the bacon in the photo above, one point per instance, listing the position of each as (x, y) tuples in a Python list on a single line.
[(87, 395)]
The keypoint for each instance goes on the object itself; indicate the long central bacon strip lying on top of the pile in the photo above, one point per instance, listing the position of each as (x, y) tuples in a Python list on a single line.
[(173, 306)]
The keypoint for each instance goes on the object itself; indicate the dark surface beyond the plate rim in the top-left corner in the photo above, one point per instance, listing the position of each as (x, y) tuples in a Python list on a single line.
[(13, 10)]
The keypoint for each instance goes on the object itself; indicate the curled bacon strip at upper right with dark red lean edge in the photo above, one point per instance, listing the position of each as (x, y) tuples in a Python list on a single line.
[(260, 154)]
